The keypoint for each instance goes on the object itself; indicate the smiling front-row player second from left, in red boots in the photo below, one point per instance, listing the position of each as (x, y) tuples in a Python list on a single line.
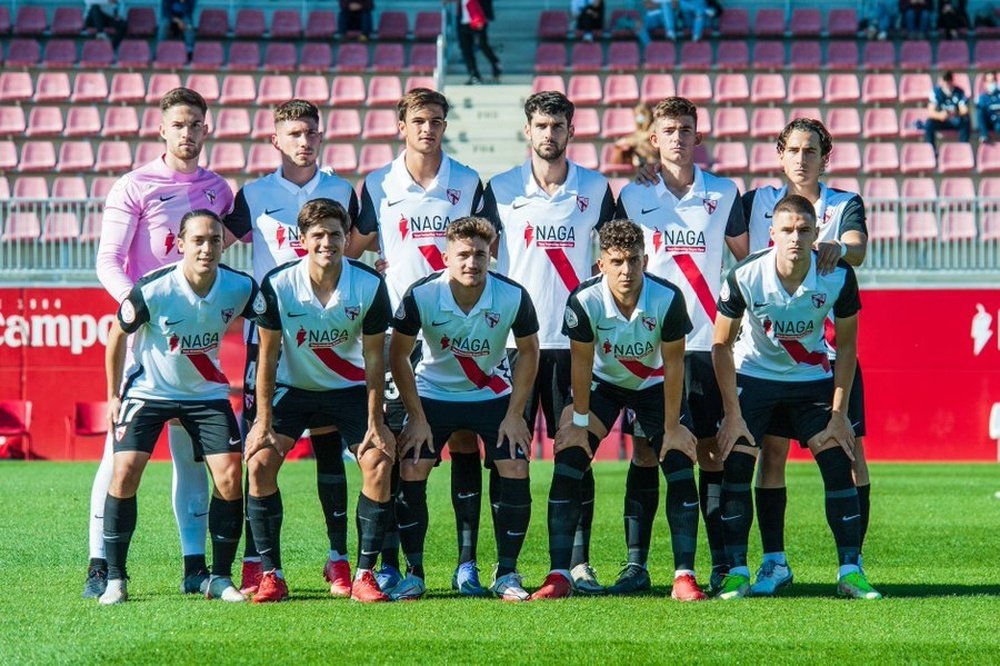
[(322, 332)]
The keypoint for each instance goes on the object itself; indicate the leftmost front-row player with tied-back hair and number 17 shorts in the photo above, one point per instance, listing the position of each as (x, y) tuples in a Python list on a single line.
[(178, 315)]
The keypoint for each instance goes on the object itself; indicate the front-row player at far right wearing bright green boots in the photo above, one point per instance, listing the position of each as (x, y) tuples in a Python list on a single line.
[(779, 369)]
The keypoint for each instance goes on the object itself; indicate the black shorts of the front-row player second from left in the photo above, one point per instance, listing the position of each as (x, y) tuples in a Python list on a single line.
[(297, 409)]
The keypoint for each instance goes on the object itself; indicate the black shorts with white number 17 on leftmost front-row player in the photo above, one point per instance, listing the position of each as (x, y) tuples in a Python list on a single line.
[(211, 425)]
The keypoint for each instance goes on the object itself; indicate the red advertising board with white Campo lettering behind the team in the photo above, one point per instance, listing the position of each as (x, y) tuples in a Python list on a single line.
[(931, 362)]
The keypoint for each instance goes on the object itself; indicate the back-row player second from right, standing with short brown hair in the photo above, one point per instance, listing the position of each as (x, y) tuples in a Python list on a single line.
[(688, 218)]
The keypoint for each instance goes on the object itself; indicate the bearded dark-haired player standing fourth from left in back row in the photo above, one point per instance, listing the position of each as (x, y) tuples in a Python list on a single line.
[(547, 211)]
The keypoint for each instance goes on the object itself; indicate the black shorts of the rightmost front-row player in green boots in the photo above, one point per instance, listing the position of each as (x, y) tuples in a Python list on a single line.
[(802, 409)]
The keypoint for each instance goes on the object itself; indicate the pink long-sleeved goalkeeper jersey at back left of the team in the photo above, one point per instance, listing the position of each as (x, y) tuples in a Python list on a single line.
[(142, 216)]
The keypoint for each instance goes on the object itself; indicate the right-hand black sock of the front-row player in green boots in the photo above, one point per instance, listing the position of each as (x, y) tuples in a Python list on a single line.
[(842, 511)]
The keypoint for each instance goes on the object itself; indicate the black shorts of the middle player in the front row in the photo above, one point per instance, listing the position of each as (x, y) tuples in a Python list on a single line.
[(483, 418)]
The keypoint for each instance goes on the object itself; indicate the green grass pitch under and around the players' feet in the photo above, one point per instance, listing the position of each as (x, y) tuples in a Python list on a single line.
[(932, 550)]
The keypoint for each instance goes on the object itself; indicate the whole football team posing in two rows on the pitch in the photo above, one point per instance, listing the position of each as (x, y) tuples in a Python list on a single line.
[(596, 308)]
